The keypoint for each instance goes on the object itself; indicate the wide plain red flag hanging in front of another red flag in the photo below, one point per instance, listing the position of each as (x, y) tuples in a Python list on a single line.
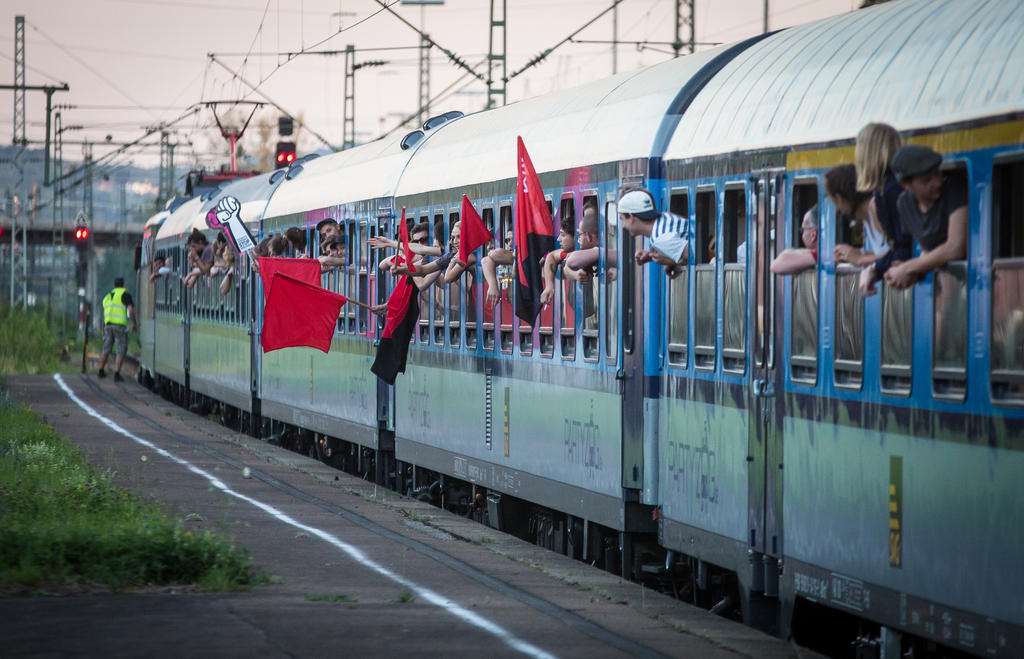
[(298, 314)]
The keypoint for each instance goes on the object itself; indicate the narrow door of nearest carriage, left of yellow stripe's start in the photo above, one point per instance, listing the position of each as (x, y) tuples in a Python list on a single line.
[(764, 456)]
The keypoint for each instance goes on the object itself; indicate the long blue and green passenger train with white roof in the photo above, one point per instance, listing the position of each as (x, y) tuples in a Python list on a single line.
[(838, 469)]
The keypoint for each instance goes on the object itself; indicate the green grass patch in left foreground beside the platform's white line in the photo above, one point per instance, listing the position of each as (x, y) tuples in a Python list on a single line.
[(63, 522)]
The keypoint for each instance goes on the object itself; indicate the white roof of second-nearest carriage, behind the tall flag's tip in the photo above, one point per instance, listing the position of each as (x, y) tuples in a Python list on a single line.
[(608, 120)]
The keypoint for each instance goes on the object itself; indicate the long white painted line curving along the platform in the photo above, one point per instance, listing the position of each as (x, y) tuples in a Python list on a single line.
[(355, 553)]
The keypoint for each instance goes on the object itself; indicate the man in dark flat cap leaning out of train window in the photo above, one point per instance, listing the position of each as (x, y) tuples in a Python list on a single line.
[(932, 209)]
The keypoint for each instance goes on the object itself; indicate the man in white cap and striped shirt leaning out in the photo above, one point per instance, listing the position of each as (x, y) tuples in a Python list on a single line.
[(669, 233)]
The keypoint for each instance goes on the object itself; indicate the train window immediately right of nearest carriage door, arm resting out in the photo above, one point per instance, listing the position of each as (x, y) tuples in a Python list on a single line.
[(804, 292)]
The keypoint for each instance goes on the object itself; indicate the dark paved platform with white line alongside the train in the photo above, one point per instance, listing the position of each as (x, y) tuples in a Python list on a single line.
[(361, 572)]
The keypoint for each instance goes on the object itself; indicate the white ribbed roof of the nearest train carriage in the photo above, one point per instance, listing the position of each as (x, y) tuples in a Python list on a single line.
[(912, 64)]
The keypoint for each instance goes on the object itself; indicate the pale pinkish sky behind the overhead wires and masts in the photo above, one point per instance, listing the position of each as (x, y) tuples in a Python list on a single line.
[(135, 65)]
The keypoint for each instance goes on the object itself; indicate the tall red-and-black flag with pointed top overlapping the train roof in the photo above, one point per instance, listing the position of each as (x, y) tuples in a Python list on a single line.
[(534, 237)]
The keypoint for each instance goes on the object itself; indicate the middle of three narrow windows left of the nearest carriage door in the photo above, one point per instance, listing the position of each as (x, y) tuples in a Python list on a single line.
[(705, 284)]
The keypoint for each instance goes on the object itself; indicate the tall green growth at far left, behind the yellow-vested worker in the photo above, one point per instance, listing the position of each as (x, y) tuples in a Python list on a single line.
[(30, 344)]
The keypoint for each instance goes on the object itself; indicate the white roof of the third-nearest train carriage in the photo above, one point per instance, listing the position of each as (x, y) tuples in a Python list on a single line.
[(366, 172)]
